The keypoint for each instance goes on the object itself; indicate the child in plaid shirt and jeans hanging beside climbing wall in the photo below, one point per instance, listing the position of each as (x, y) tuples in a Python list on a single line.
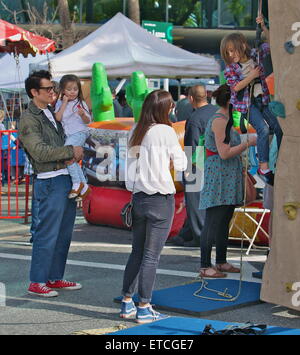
[(244, 73)]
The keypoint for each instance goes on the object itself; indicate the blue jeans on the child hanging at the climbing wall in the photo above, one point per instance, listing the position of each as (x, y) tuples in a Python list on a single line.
[(262, 119)]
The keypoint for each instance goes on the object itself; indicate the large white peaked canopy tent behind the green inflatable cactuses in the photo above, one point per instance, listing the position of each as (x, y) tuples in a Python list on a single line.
[(124, 47)]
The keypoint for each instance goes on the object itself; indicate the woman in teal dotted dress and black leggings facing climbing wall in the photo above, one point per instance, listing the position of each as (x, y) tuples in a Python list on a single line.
[(223, 186)]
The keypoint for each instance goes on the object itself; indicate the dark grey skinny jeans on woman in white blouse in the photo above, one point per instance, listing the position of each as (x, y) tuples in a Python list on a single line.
[(152, 221)]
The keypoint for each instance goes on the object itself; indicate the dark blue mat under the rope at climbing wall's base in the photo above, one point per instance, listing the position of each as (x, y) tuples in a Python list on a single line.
[(181, 298)]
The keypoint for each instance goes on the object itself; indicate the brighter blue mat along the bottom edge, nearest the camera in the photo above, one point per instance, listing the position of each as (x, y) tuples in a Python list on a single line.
[(191, 326)]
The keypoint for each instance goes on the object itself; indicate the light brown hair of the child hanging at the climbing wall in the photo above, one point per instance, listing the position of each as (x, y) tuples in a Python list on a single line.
[(239, 43)]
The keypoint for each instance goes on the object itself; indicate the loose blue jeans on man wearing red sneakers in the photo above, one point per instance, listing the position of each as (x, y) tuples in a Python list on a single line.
[(53, 235)]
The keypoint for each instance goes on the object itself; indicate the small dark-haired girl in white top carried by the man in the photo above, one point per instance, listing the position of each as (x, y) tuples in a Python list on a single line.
[(74, 115)]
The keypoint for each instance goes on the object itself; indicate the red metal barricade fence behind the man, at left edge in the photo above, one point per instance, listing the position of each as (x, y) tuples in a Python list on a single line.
[(14, 197)]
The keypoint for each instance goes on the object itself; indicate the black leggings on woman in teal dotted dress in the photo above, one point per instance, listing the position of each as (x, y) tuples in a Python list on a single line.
[(215, 230)]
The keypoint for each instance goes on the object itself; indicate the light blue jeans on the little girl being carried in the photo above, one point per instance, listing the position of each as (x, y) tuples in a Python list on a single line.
[(75, 171)]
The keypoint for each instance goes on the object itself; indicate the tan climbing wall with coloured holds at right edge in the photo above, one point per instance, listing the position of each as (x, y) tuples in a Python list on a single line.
[(281, 277)]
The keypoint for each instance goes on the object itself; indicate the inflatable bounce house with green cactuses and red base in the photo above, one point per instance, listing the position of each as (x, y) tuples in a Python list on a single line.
[(104, 162)]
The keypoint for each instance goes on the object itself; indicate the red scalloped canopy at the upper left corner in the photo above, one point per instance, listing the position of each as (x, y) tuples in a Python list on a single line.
[(14, 39)]
